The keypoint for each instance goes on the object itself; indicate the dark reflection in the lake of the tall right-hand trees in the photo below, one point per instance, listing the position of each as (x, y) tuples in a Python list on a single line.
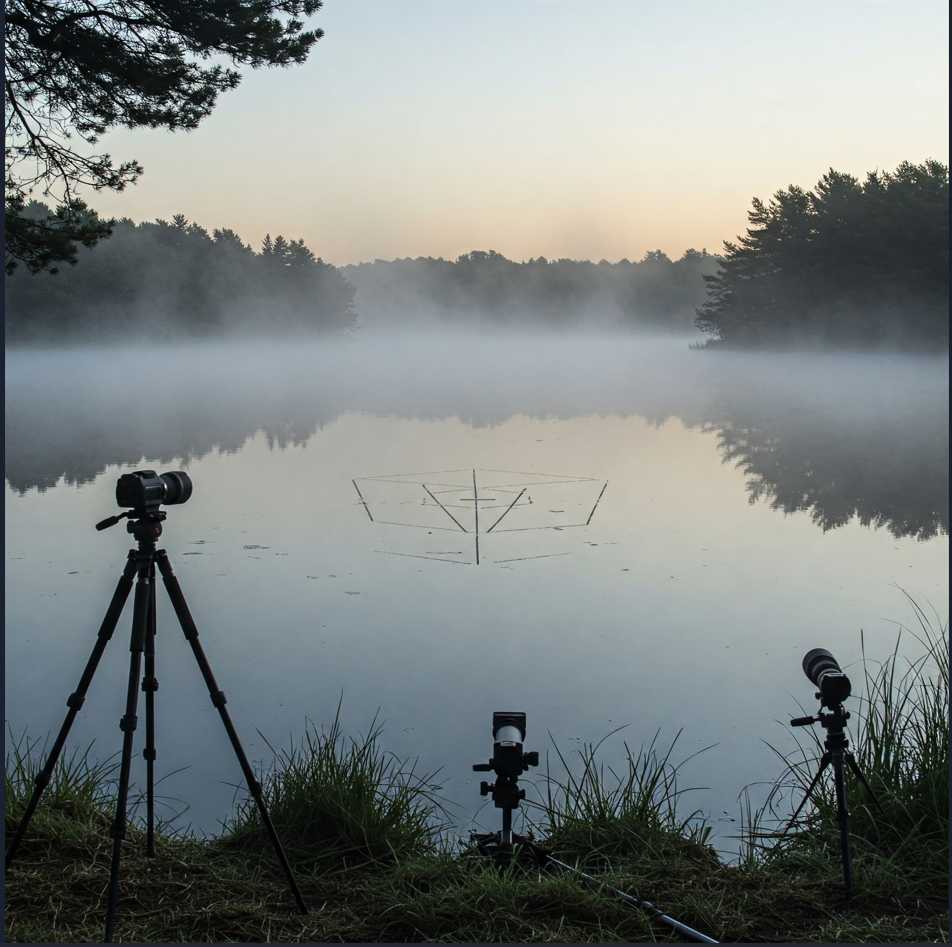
[(851, 439)]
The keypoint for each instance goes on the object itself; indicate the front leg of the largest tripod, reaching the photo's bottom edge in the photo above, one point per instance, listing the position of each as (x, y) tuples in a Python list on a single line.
[(144, 596)]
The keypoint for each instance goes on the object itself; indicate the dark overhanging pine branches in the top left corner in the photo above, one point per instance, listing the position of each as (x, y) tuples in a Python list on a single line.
[(76, 68)]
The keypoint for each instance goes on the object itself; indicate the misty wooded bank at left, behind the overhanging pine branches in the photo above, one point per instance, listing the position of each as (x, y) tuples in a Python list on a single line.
[(175, 280)]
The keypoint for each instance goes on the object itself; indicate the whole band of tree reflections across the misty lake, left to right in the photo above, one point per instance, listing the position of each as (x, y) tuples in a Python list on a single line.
[(822, 441)]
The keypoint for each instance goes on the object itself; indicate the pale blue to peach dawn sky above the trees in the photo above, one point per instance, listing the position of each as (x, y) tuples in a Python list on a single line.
[(583, 129)]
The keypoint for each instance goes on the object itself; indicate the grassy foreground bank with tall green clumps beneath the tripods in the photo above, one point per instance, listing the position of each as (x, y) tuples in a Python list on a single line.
[(377, 861)]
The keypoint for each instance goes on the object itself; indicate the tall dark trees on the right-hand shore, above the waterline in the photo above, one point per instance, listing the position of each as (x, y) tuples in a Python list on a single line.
[(849, 262)]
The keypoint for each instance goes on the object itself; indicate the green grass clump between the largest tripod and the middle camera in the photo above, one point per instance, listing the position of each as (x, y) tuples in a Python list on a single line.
[(339, 802)]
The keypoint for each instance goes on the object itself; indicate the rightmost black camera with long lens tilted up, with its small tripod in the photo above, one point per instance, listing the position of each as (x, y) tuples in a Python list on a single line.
[(833, 687)]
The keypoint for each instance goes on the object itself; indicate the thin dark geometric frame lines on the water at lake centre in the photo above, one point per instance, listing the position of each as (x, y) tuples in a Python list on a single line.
[(434, 489)]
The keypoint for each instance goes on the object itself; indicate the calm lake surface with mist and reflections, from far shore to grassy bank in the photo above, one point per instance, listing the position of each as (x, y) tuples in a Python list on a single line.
[(601, 531)]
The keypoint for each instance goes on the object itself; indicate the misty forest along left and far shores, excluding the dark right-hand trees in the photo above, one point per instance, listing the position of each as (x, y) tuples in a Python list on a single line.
[(175, 280)]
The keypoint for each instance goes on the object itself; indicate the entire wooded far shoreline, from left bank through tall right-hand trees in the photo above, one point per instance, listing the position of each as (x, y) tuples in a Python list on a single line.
[(848, 264)]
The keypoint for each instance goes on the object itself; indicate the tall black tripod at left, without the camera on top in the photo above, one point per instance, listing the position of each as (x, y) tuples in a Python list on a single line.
[(146, 527)]
